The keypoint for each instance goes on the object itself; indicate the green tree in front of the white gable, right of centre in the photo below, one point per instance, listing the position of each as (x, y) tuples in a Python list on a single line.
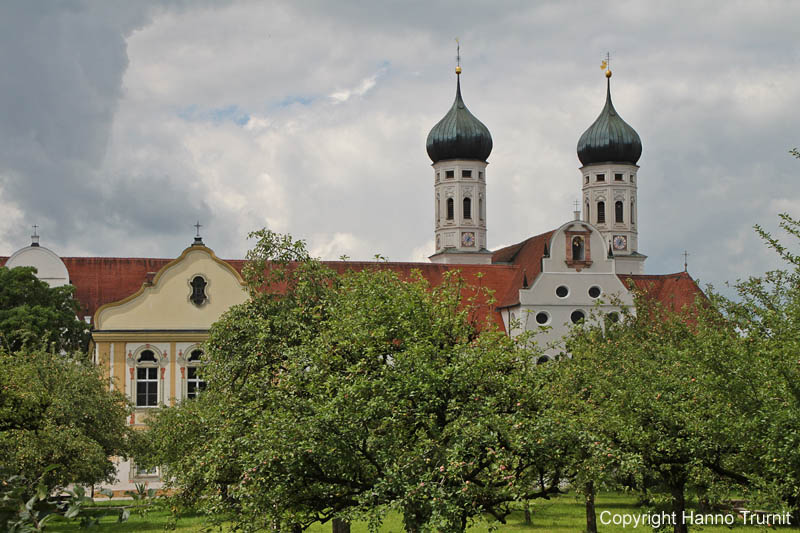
[(646, 397)]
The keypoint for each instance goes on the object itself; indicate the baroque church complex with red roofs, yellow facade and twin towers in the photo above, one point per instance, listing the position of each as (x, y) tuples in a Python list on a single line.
[(150, 317)]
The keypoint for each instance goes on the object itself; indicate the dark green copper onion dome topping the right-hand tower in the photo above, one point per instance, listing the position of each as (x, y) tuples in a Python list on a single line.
[(609, 139)]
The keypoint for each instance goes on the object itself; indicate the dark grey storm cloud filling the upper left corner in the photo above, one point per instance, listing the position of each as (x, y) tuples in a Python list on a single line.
[(63, 65)]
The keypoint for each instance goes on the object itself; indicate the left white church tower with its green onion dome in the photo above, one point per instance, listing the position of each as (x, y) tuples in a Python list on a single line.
[(459, 145)]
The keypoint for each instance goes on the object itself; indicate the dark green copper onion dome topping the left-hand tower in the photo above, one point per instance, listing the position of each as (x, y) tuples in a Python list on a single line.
[(459, 135)]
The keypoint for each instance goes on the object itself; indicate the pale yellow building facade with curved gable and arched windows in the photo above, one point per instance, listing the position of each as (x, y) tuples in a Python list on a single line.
[(150, 344)]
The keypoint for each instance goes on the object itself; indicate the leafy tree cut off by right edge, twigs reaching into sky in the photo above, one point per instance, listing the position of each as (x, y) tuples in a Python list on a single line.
[(767, 316)]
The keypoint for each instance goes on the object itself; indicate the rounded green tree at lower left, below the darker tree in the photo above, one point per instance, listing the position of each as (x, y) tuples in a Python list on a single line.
[(57, 410)]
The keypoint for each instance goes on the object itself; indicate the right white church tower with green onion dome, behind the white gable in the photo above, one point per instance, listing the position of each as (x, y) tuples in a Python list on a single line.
[(609, 150)]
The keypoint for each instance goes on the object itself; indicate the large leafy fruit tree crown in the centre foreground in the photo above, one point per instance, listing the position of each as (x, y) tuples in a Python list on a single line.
[(346, 396)]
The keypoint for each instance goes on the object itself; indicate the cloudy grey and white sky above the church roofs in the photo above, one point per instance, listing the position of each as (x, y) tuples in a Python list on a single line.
[(122, 123)]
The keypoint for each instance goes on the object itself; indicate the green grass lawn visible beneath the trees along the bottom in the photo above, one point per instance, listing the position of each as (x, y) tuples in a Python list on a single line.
[(564, 514)]
